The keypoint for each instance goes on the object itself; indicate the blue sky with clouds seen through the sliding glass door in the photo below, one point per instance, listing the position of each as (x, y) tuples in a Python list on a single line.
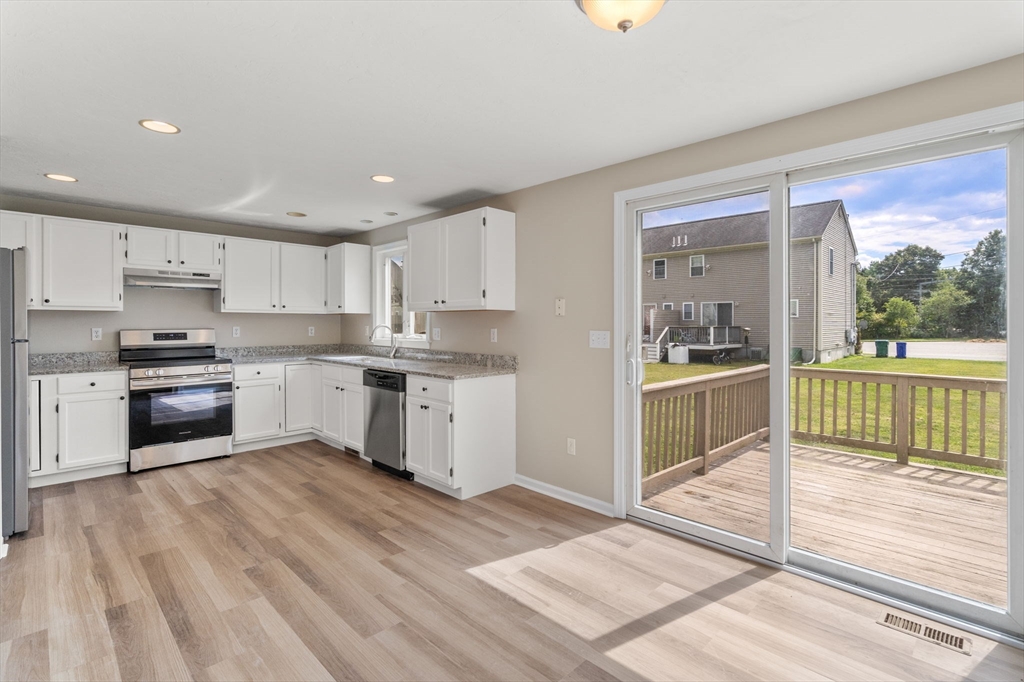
[(948, 205)]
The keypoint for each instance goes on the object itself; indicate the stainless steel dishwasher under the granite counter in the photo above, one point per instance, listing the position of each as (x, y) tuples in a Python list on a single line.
[(385, 421)]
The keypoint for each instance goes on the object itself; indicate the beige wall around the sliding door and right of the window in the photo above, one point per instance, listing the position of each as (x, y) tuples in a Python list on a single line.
[(565, 249)]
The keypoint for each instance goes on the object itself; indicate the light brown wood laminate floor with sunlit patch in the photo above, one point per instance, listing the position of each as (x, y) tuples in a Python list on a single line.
[(300, 563)]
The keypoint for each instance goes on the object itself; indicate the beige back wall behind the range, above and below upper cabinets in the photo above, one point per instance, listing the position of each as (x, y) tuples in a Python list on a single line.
[(66, 331)]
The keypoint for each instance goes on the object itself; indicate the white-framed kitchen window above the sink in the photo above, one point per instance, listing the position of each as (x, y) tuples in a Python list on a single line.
[(391, 302)]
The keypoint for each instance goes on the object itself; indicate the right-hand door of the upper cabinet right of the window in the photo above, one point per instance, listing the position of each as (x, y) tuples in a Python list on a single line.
[(463, 262)]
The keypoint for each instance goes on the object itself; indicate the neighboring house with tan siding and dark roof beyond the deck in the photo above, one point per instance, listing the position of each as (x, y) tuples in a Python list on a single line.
[(715, 273)]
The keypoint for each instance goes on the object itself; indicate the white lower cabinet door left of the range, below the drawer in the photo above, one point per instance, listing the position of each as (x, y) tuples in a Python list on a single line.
[(92, 430)]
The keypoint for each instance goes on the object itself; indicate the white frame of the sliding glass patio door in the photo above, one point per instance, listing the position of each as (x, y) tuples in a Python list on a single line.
[(781, 173)]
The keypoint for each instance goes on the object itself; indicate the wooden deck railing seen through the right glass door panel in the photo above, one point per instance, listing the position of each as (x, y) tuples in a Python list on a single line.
[(950, 419)]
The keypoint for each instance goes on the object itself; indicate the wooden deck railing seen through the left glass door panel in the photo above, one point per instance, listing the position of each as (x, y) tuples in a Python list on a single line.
[(690, 423)]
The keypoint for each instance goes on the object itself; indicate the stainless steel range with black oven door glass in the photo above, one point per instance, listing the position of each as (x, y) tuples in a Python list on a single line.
[(180, 397)]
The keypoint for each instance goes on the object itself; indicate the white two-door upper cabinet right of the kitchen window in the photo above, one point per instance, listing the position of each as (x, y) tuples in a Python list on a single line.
[(463, 263)]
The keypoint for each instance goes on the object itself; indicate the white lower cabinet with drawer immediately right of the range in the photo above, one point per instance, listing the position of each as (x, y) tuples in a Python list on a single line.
[(259, 403)]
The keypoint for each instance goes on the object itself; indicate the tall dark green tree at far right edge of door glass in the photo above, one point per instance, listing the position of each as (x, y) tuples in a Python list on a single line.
[(984, 277)]
